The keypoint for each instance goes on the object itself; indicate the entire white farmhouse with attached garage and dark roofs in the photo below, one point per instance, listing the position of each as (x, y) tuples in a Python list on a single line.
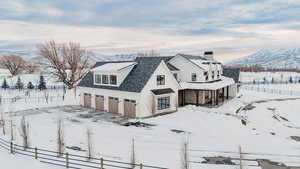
[(150, 86)]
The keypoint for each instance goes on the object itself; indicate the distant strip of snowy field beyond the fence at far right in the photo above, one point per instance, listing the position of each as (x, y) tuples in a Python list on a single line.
[(249, 77)]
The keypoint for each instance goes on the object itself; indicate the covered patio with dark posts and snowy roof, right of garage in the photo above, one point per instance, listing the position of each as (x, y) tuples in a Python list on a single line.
[(206, 94)]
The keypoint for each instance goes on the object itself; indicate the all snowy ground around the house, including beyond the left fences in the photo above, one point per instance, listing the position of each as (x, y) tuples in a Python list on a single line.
[(270, 123)]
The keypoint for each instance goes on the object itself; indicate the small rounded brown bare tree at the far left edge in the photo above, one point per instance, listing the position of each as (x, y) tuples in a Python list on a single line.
[(13, 63)]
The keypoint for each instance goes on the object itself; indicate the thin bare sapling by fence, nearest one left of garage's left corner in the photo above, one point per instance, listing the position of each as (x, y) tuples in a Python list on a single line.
[(60, 137)]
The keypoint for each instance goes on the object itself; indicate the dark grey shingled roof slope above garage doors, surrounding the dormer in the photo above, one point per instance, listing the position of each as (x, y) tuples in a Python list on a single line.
[(135, 80)]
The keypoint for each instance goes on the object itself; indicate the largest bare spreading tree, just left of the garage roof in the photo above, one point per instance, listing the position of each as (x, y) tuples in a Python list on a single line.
[(67, 62)]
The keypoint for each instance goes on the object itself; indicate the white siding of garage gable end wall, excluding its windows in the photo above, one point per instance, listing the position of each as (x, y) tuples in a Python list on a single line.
[(148, 102)]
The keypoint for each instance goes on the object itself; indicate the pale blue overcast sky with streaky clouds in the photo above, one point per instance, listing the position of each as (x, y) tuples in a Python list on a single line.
[(231, 28)]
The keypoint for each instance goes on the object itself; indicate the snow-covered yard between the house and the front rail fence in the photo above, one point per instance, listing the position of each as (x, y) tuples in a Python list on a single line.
[(211, 132)]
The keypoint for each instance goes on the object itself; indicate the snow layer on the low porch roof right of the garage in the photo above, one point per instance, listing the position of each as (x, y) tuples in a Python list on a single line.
[(225, 81)]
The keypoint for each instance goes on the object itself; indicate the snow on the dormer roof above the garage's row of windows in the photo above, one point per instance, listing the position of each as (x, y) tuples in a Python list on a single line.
[(112, 67)]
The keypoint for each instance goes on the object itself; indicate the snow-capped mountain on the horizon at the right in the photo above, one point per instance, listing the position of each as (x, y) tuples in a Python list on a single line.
[(271, 58)]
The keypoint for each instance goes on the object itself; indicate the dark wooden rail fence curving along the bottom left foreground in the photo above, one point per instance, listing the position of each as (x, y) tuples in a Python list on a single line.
[(69, 160)]
